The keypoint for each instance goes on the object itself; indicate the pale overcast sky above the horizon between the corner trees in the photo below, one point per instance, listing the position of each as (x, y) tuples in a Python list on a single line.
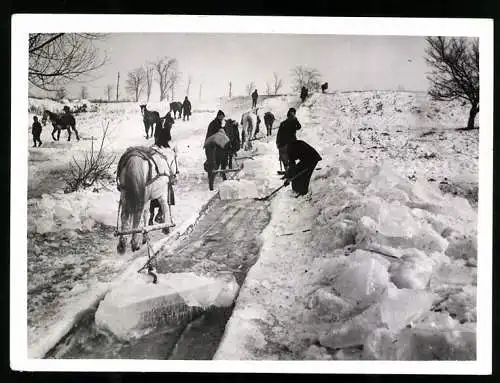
[(346, 62)]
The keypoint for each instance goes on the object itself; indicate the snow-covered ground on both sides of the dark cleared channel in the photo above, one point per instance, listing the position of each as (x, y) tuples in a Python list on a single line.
[(383, 247)]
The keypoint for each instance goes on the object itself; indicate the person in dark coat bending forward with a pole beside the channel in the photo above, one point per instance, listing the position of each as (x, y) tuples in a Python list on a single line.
[(307, 158)]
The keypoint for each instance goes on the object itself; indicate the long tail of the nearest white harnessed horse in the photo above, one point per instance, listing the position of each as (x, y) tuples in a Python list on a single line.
[(134, 184)]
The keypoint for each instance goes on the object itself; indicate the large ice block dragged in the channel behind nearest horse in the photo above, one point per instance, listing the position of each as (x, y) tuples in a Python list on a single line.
[(137, 306)]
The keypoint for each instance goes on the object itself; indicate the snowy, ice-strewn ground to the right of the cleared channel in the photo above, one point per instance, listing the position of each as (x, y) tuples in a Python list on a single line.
[(378, 262)]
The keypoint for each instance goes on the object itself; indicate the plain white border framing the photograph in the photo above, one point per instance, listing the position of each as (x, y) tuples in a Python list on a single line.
[(23, 24)]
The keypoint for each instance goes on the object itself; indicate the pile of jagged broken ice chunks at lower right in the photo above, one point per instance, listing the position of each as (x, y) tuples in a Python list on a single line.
[(408, 290)]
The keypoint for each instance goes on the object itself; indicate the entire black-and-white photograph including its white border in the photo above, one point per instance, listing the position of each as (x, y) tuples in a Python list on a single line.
[(236, 188)]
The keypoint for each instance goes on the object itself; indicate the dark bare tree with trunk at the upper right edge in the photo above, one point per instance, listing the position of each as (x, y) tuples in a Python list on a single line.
[(455, 71)]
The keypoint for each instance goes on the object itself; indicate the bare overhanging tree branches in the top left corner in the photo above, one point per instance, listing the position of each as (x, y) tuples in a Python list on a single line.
[(58, 58)]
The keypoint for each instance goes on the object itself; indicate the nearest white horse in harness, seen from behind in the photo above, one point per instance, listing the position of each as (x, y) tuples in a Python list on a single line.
[(141, 181)]
